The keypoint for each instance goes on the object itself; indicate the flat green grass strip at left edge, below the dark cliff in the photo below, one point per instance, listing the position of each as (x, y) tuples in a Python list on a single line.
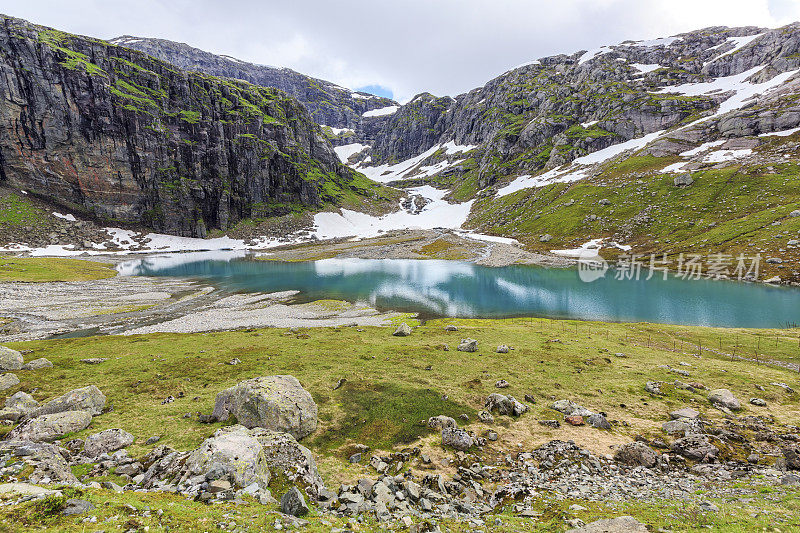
[(35, 269)]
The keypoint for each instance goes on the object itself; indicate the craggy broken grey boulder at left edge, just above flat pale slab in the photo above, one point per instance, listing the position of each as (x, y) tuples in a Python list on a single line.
[(45, 461)]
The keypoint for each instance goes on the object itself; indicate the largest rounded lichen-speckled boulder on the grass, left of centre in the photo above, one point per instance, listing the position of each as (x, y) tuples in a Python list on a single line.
[(278, 403)]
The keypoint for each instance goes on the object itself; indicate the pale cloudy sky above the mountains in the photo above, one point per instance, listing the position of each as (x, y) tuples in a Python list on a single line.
[(405, 46)]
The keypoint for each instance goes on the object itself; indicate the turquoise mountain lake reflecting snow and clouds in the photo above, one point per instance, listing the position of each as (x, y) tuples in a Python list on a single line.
[(458, 289)]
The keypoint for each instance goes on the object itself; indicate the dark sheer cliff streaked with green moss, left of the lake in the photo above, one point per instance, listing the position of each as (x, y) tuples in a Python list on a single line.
[(113, 132)]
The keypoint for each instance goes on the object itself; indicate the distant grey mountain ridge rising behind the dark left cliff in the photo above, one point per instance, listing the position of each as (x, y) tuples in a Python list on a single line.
[(328, 103)]
